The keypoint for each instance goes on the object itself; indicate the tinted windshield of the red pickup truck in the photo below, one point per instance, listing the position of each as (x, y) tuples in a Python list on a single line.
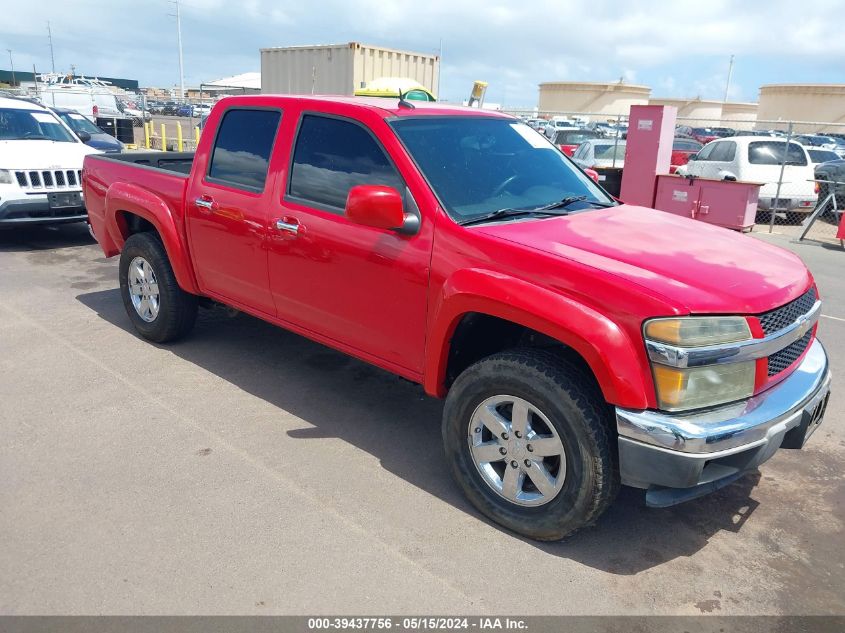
[(477, 165)]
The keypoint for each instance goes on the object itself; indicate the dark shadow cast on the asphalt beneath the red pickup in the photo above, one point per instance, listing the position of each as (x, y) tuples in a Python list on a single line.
[(393, 420)]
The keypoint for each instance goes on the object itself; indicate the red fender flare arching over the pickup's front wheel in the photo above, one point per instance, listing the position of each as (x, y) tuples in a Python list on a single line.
[(606, 347)]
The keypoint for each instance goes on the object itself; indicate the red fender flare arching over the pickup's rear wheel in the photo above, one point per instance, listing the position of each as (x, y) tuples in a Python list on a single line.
[(124, 197)]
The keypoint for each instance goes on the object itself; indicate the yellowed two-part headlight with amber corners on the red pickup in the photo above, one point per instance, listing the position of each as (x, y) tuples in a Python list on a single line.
[(683, 388)]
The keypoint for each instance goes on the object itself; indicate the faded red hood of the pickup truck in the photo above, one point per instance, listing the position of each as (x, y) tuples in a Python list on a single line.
[(698, 268)]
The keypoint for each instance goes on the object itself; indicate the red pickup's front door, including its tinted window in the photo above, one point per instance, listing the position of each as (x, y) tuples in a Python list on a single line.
[(362, 287)]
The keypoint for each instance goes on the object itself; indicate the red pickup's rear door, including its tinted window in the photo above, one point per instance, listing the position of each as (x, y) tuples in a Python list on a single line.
[(228, 208)]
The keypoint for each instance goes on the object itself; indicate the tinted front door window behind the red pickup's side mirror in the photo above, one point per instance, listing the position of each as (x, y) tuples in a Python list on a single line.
[(333, 155)]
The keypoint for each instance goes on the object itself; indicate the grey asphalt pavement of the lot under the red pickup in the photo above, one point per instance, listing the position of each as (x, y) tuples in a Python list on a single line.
[(247, 470)]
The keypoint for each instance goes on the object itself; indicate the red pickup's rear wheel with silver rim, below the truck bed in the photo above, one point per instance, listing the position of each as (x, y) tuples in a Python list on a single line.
[(158, 308)]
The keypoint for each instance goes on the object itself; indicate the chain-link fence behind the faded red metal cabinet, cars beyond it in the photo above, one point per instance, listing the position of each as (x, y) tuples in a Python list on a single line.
[(802, 186)]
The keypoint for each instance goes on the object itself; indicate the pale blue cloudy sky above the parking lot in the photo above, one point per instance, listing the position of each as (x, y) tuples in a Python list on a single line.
[(680, 49)]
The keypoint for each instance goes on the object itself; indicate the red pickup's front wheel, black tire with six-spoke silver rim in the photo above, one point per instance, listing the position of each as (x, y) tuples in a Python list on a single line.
[(528, 437)]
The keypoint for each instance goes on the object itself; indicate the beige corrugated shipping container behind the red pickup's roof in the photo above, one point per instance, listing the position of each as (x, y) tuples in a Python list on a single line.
[(341, 68)]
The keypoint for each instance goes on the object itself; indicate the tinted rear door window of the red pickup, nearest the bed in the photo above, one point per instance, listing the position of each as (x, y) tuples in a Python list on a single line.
[(241, 154)]
